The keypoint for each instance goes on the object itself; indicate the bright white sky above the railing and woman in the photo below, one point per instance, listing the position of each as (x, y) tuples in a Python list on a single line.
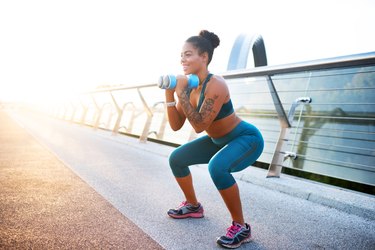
[(50, 48)]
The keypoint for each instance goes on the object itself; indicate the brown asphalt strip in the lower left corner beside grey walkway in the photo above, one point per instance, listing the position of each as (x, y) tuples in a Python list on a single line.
[(44, 205)]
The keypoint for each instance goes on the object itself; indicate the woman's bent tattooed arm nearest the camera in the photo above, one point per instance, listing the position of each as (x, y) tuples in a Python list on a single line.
[(215, 95)]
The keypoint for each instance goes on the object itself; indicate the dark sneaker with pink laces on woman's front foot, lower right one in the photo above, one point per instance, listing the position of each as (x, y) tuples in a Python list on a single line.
[(236, 235)]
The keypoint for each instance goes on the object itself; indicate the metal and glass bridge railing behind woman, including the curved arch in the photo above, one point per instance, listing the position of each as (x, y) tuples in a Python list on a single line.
[(316, 116)]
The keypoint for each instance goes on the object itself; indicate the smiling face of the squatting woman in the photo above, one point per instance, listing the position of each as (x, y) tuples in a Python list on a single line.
[(191, 61)]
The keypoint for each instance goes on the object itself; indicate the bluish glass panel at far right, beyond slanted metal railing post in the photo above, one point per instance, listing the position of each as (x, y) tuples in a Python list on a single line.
[(335, 134)]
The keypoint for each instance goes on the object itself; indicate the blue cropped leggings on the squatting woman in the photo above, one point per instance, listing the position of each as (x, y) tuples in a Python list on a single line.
[(231, 153)]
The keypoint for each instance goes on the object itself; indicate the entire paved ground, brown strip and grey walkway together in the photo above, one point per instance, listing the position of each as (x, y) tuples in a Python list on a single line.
[(68, 186)]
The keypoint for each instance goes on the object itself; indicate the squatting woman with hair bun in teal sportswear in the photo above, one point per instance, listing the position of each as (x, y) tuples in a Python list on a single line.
[(230, 145)]
